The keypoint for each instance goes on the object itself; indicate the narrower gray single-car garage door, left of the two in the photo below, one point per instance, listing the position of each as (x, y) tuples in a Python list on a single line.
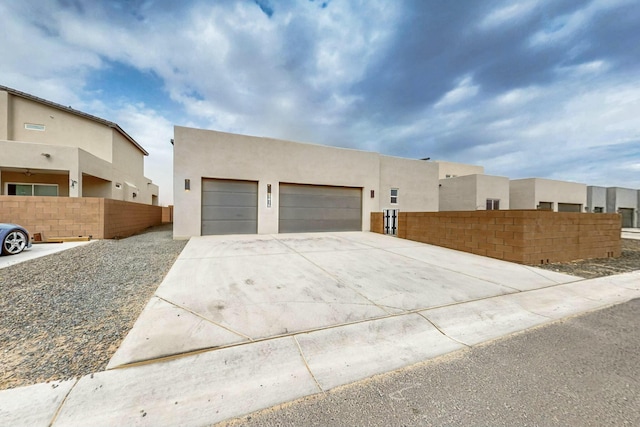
[(229, 207)]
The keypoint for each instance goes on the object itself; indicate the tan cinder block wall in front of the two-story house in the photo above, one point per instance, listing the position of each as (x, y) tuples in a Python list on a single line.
[(78, 216)]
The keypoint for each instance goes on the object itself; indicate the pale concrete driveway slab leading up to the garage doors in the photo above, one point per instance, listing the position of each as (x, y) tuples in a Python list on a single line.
[(228, 290)]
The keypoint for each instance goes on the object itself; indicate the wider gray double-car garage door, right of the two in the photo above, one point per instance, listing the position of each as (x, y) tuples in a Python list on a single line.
[(308, 208)]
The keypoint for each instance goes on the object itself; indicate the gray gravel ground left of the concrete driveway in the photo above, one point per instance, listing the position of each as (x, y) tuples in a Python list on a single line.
[(65, 314)]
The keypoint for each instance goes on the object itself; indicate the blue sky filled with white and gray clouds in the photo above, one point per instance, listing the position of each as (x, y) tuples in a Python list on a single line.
[(530, 88)]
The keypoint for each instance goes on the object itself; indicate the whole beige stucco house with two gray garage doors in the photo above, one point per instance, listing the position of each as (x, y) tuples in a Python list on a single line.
[(228, 183)]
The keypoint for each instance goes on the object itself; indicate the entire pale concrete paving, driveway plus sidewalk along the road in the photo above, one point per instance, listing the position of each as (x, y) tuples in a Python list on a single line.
[(242, 323)]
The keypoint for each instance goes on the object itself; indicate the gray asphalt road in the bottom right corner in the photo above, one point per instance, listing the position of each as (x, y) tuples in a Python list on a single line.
[(583, 371)]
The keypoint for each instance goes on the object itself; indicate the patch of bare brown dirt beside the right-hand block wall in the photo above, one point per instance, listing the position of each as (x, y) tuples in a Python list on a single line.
[(629, 261)]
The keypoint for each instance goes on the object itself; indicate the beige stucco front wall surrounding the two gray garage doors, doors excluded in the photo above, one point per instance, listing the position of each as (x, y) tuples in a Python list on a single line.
[(202, 154)]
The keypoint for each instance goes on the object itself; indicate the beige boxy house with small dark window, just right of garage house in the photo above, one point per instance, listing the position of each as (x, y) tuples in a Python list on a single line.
[(474, 192)]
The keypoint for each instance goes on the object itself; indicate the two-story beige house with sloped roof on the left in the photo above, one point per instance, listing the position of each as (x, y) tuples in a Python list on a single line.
[(52, 150)]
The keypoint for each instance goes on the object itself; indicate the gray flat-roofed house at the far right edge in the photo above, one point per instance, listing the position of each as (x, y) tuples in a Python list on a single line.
[(624, 201)]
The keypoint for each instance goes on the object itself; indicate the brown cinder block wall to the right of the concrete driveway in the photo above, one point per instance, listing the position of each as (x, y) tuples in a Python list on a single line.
[(528, 237)]
